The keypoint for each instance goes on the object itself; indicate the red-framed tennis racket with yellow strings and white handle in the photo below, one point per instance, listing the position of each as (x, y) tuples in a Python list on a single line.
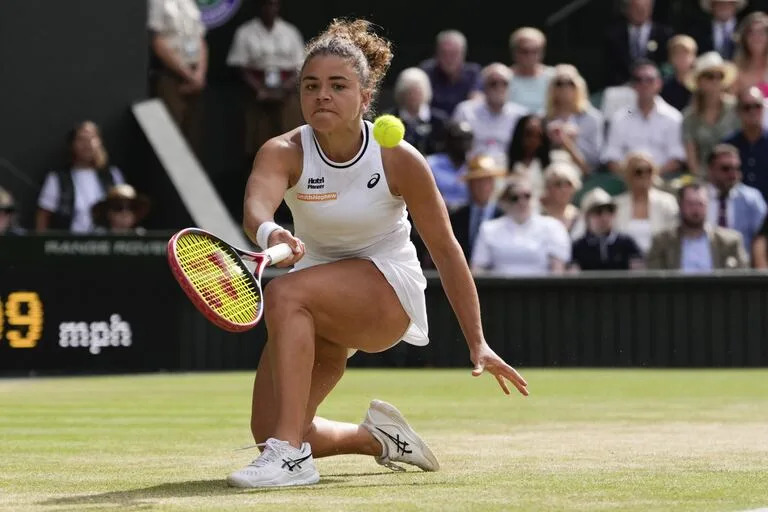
[(212, 274)]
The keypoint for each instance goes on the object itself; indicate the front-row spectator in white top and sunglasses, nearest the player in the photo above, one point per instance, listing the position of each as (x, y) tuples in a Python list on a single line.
[(521, 242)]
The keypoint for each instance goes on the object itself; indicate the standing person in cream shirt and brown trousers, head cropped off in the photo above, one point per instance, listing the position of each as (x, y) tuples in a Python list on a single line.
[(178, 42)]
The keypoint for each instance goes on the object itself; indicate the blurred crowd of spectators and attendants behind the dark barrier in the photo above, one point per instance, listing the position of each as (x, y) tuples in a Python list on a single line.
[(660, 161)]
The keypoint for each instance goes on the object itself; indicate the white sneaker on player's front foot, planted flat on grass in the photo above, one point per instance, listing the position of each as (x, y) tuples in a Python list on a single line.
[(279, 465)]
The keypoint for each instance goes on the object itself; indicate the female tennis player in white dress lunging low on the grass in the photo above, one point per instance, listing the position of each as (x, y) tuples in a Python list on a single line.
[(356, 284)]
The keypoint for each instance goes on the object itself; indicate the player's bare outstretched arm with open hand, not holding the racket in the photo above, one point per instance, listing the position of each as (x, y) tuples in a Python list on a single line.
[(409, 176)]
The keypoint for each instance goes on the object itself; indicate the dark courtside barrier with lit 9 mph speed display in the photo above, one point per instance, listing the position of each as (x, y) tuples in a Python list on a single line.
[(110, 304)]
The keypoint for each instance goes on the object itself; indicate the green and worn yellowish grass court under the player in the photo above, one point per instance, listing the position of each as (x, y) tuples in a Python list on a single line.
[(630, 440)]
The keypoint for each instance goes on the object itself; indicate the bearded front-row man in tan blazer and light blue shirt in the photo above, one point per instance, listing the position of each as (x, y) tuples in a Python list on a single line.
[(695, 245)]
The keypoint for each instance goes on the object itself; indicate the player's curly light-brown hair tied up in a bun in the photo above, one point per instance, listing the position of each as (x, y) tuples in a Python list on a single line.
[(354, 40)]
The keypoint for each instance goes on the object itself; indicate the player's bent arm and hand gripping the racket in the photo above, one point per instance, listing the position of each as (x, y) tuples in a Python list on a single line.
[(276, 165)]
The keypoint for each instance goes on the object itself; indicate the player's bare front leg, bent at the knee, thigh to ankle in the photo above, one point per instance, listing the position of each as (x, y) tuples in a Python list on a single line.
[(348, 303)]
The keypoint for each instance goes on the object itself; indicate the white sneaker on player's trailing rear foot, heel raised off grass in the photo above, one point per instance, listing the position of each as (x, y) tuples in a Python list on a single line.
[(400, 442)]
